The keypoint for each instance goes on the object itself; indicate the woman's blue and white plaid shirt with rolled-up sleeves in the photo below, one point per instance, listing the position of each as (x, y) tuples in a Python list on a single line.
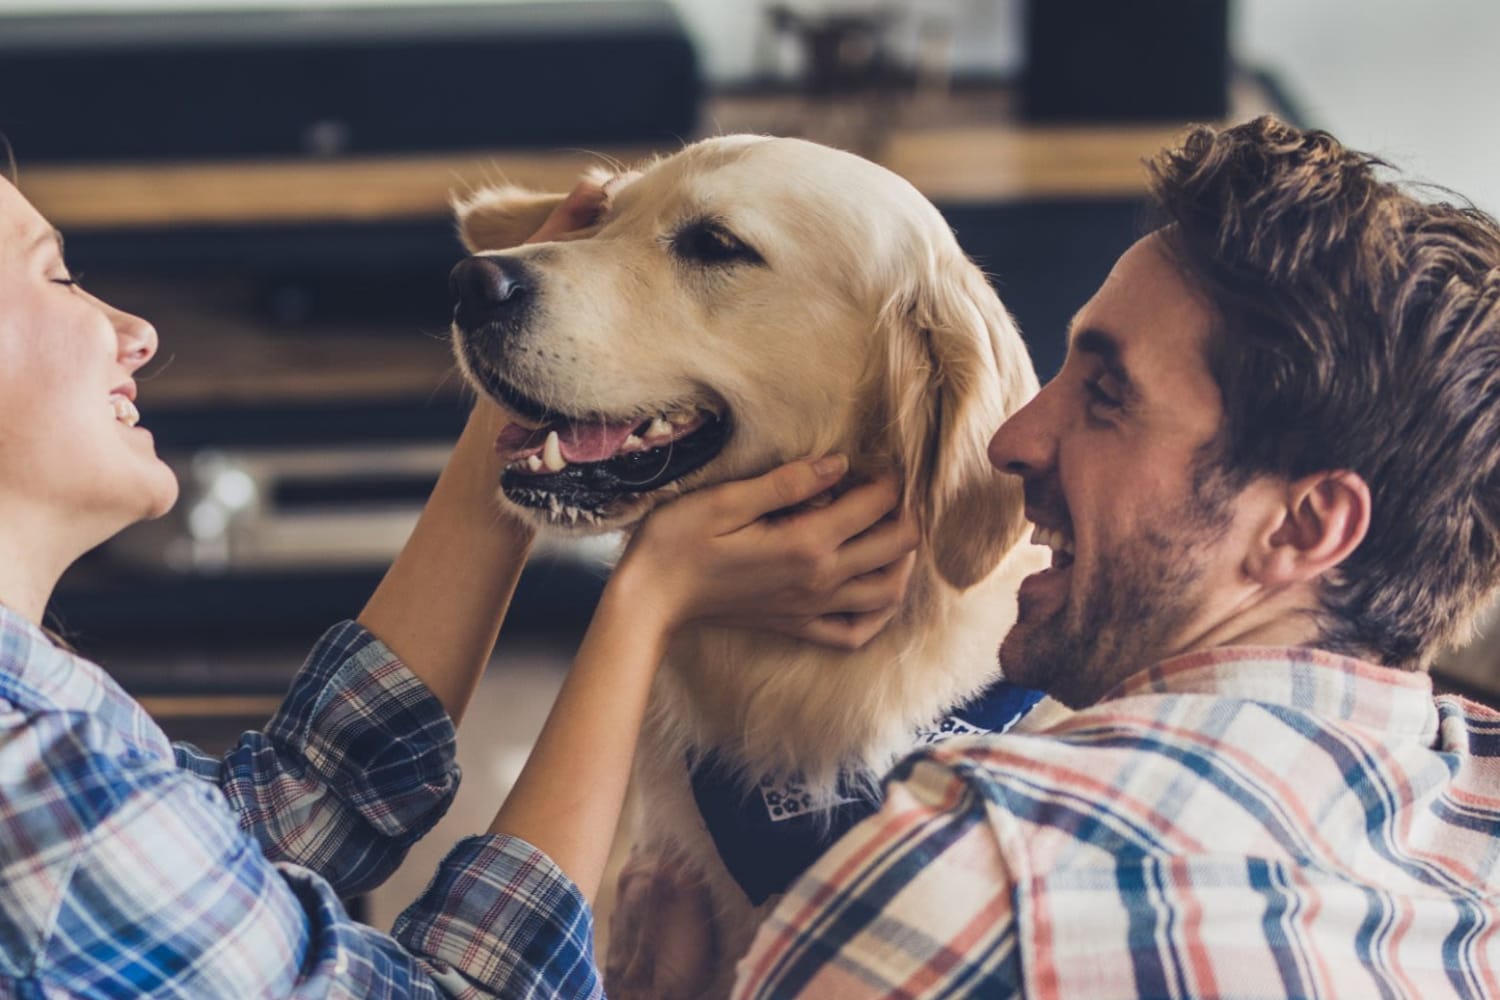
[(131, 867)]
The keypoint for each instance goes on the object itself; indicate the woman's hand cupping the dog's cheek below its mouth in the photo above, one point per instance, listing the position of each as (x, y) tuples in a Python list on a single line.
[(833, 575)]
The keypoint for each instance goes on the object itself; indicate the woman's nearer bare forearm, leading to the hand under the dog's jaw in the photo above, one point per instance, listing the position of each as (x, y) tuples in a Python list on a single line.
[(571, 794)]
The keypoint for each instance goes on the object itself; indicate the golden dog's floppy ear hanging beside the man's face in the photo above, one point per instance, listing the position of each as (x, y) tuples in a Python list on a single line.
[(955, 370)]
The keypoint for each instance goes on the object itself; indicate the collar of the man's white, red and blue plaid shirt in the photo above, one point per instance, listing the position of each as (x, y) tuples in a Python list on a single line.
[(1307, 680)]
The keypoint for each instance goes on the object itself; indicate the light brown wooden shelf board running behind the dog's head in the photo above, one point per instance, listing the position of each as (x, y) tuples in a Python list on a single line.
[(964, 146)]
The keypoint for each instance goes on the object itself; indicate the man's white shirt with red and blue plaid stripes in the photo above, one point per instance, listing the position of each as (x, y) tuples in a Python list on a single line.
[(1231, 824)]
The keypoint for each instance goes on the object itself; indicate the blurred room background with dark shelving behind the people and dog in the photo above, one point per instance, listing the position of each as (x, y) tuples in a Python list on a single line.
[(268, 182)]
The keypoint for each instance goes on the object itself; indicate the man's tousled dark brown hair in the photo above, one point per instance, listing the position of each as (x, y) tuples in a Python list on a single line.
[(1358, 328)]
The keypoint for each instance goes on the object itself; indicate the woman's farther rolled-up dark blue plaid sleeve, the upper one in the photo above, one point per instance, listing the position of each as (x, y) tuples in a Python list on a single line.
[(352, 771)]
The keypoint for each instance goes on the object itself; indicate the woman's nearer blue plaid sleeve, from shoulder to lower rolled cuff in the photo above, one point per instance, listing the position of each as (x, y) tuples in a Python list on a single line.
[(125, 876)]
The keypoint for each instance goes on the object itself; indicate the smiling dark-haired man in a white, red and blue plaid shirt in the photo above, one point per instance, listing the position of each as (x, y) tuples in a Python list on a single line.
[(1270, 473)]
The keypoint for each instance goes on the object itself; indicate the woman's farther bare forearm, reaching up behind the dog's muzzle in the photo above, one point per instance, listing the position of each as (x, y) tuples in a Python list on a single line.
[(442, 603)]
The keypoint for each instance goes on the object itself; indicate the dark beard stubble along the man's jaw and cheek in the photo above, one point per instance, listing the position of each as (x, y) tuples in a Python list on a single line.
[(1139, 597)]
